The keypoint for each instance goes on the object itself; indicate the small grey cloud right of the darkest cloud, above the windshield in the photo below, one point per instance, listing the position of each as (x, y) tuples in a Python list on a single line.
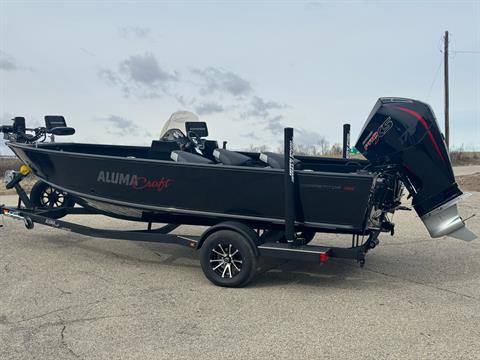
[(218, 80)]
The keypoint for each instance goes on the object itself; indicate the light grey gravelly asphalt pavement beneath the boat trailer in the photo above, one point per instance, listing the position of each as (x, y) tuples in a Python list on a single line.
[(68, 296)]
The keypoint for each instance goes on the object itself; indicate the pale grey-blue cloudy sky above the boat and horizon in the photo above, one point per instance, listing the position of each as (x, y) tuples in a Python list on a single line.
[(117, 70)]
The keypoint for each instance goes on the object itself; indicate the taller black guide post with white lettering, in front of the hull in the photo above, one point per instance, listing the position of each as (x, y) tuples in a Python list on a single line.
[(289, 185)]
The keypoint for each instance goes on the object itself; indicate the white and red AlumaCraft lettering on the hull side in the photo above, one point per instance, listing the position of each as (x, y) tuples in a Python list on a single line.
[(134, 181)]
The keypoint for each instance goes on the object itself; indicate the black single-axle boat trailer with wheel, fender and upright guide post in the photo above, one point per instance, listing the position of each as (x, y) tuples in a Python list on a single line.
[(224, 238)]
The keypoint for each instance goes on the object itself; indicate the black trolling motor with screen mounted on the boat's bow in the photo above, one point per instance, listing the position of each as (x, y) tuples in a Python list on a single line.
[(18, 132)]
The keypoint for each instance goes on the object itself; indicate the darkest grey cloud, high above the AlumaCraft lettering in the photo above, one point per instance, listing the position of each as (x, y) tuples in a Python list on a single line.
[(141, 76)]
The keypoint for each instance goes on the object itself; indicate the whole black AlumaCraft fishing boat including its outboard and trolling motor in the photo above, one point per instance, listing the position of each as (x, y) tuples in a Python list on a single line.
[(186, 178)]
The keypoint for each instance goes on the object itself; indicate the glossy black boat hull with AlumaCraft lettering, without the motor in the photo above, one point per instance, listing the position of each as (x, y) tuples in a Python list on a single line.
[(122, 185)]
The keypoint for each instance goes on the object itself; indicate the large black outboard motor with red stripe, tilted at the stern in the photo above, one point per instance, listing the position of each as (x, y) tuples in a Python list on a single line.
[(403, 133)]
